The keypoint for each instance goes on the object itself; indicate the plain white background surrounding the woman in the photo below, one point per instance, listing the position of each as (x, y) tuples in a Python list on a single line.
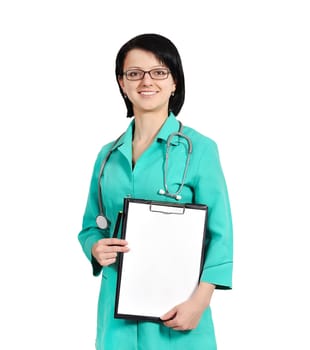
[(247, 78)]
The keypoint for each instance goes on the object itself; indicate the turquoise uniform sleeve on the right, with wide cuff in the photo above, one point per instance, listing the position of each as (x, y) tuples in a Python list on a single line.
[(211, 190)]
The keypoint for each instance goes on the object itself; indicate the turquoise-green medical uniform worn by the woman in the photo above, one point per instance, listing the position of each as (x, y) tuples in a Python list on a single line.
[(205, 184)]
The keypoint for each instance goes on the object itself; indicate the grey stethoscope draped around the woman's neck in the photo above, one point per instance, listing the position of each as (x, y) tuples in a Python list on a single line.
[(101, 220)]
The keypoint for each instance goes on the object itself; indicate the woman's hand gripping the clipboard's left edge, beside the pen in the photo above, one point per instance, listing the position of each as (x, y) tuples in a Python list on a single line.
[(106, 249)]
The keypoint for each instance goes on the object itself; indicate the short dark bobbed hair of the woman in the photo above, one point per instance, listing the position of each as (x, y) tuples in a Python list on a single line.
[(167, 53)]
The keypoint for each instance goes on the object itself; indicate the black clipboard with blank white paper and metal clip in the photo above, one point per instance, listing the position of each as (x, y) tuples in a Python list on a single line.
[(163, 266)]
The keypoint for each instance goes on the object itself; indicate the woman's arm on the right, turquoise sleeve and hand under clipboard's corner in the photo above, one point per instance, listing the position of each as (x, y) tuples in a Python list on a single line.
[(210, 189)]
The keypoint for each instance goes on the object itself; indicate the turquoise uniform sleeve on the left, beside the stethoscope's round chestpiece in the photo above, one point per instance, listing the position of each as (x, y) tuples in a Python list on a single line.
[(90, 233)]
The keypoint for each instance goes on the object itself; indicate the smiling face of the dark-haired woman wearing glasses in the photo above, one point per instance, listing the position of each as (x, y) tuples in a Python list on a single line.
[(146, 95)]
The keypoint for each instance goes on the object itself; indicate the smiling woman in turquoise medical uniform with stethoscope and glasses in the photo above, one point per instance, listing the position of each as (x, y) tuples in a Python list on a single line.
[(150, 77)]
